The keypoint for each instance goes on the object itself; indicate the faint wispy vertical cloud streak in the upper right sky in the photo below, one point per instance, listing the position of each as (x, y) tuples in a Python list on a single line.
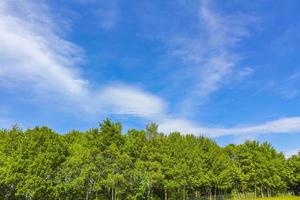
[(223, 32)]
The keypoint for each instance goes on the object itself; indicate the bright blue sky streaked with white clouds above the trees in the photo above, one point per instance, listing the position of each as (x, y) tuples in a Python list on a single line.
[(229, 70)]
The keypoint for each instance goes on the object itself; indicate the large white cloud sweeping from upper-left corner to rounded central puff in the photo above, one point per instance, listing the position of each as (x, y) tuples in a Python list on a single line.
[(35, 57)]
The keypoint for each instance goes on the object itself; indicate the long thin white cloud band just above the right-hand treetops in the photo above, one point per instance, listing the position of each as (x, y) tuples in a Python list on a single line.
[(282, 125)]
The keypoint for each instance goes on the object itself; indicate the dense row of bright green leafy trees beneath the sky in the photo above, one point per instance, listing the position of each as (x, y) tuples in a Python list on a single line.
[(104, 163)]
